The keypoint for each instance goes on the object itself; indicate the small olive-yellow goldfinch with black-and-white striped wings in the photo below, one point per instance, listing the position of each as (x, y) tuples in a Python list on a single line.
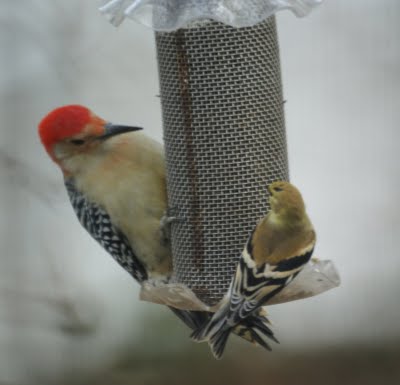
[(276, 251)]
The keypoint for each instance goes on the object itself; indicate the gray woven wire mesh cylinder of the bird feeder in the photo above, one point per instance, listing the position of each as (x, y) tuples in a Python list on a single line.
[(224, 136)]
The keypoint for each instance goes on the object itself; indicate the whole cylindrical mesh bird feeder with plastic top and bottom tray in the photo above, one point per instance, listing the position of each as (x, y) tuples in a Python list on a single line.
[(224, 135)]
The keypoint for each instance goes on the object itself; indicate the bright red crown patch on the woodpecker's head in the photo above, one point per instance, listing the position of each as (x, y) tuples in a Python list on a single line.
[(62, 123)]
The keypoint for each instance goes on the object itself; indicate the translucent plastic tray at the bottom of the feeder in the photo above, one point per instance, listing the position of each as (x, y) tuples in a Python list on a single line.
[(316, 277)]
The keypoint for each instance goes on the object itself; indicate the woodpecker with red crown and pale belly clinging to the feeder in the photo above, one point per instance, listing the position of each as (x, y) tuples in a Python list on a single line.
[(115, 178)]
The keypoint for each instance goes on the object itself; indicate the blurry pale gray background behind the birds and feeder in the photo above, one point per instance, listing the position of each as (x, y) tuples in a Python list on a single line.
[(68, 312)]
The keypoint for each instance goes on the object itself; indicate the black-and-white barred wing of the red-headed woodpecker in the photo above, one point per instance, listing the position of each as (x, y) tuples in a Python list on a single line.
[(98, 223)]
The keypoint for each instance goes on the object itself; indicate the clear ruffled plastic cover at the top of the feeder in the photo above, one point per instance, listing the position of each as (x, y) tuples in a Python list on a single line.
[(169, 15)]
